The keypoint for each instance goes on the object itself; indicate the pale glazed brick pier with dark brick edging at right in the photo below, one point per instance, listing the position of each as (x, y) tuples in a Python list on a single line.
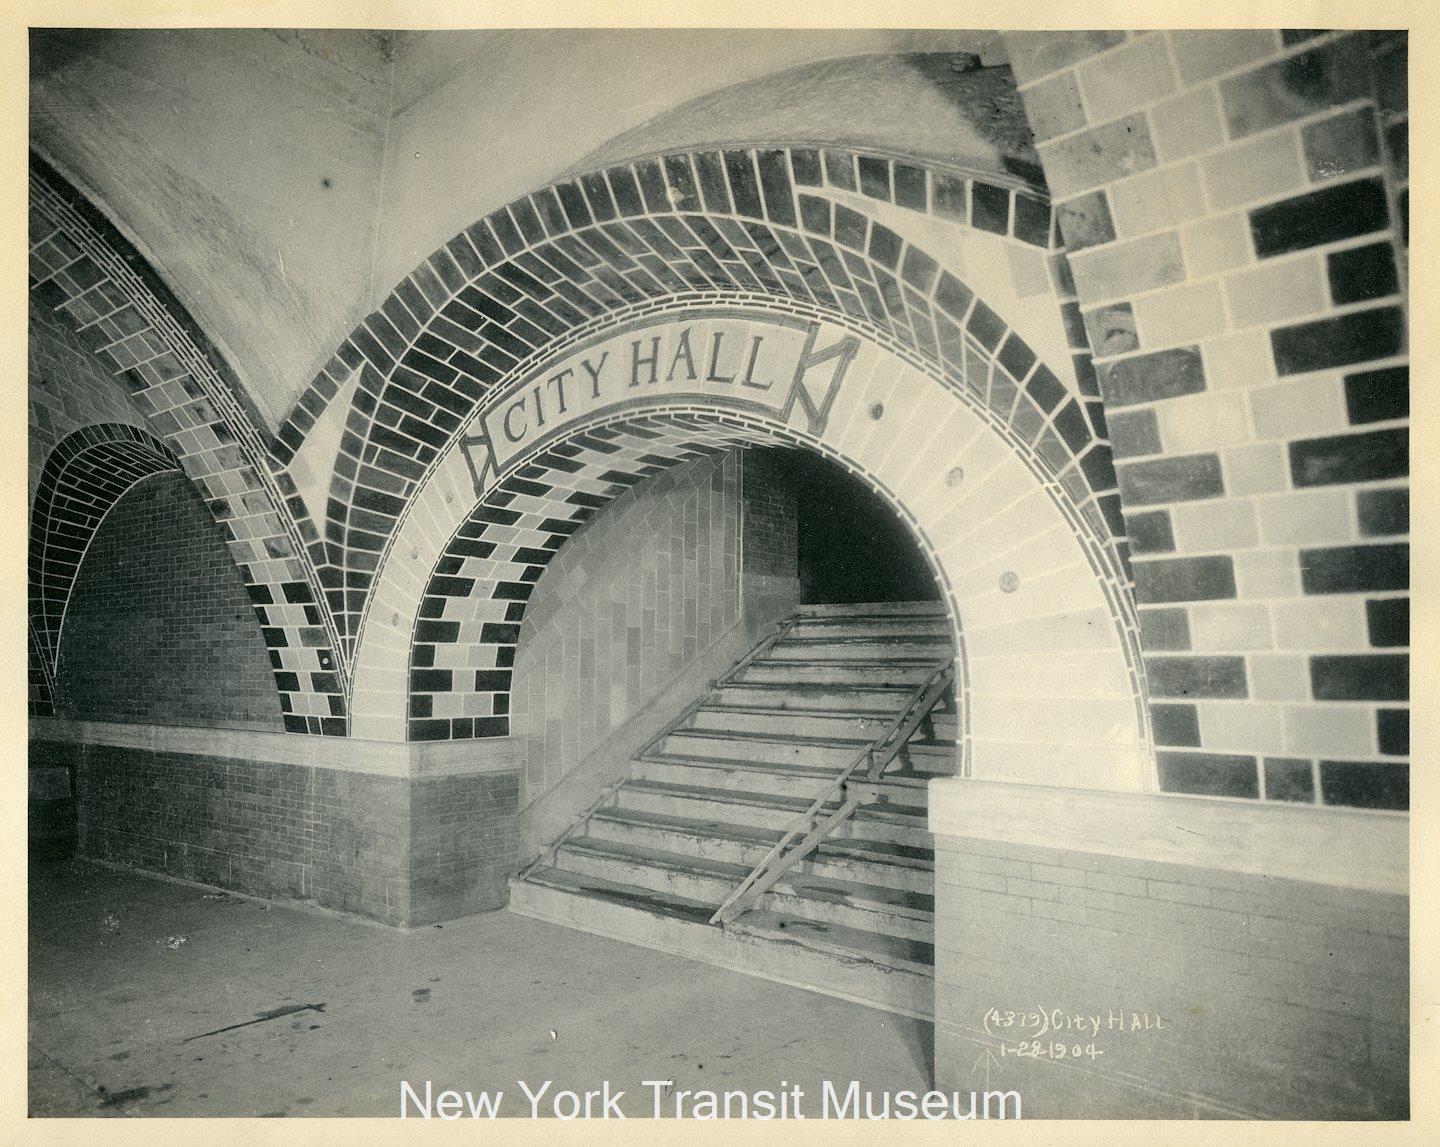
[(1232, 202)]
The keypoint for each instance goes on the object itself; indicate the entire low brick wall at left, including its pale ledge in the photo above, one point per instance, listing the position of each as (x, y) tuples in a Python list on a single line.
[(405, 834)]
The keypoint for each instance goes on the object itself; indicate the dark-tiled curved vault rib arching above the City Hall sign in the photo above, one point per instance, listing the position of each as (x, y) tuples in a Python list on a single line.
[(709, 225)]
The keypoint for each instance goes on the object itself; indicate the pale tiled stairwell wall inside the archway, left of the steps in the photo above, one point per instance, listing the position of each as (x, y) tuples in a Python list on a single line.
[(629, 604)]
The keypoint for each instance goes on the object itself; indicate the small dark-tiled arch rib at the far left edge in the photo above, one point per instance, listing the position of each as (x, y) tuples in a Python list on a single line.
[(84, 477)]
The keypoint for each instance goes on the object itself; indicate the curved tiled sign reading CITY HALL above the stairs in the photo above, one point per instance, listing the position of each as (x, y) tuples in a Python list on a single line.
[(777, 366)]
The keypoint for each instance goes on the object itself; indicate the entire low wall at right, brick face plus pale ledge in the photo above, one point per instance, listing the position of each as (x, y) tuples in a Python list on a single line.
[(1206, 958)]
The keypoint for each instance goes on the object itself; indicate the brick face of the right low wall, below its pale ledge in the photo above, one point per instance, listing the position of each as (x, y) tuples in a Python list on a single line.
[(1279, 998)]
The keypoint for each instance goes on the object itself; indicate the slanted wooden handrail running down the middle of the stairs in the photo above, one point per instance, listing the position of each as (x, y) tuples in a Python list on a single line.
[(878, 758)]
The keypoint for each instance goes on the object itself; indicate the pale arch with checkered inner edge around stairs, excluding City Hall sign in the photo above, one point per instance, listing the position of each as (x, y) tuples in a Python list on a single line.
[(441, 637)]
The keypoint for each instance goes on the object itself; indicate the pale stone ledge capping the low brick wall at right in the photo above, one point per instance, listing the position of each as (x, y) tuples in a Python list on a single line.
[(1336, 847)]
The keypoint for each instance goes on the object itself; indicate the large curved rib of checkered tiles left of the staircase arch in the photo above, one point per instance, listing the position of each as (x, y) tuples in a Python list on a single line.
[(83, 270)]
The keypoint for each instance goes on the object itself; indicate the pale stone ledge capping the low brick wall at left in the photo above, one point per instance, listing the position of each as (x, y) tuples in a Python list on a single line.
[(346, 755)]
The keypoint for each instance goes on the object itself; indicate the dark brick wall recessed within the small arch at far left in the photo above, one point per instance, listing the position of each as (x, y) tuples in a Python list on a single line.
[(159, 628)]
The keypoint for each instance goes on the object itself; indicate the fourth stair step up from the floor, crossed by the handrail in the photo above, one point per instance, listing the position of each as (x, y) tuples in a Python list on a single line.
[(896, 824)]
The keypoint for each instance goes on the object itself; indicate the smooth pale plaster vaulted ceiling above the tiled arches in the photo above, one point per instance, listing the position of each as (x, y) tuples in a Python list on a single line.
[(284, 181)]
